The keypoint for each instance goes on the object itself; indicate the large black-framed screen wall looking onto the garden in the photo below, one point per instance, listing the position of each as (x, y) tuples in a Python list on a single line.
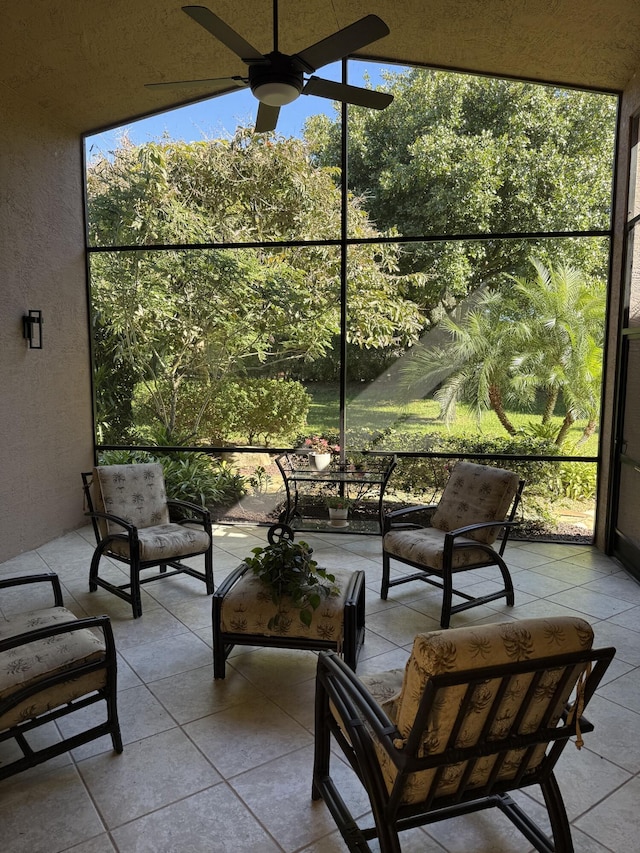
[(356, 283)]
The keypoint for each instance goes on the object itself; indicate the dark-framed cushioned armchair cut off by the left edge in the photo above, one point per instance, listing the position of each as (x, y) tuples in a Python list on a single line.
[(53, 665)]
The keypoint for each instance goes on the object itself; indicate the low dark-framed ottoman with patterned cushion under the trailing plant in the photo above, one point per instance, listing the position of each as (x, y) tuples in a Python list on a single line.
[(242, 608)]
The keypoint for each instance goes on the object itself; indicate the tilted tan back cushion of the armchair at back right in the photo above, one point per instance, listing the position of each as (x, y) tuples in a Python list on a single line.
[(475, 493)]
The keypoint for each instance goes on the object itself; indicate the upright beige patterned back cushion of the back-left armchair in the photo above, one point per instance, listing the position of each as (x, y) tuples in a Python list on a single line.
[(136, 493)]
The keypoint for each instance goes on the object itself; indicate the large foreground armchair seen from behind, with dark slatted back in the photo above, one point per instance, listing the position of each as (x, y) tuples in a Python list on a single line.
[(477, 714)]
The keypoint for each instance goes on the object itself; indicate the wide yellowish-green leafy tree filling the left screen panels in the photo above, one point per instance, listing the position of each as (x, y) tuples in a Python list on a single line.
[(175, 315)]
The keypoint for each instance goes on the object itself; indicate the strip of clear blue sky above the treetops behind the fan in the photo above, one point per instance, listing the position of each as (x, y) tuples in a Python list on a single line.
[(218, 117)]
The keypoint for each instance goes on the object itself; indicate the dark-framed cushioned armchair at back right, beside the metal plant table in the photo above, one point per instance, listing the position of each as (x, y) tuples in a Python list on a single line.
[(478, 505)]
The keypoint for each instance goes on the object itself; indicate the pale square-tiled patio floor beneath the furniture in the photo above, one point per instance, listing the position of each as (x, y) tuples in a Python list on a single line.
[(226, 765)]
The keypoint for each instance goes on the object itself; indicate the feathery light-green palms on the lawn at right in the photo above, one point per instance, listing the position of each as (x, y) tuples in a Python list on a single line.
[(542, 335)]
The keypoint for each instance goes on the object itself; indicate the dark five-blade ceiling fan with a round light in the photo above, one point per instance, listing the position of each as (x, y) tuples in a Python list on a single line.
[(277, 79)]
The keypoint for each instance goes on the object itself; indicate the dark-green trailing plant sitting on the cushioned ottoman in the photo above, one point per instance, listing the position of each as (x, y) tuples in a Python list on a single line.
[(287, 569)]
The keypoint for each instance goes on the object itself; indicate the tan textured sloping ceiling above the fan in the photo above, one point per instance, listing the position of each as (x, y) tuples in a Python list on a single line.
[(86, 61)]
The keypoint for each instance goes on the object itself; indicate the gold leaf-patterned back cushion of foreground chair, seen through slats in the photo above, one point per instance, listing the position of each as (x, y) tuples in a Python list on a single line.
[(462, 649)]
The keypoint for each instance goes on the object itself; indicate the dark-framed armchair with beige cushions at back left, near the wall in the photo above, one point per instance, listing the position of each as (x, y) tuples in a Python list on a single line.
[(135, 523)]
